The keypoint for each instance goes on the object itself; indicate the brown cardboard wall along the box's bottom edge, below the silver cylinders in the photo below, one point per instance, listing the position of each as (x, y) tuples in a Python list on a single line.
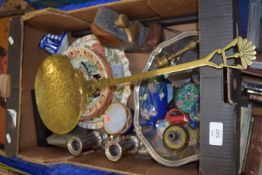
[(128, 164)]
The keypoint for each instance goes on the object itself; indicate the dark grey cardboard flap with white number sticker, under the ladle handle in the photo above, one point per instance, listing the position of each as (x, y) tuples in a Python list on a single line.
[(217, 27)]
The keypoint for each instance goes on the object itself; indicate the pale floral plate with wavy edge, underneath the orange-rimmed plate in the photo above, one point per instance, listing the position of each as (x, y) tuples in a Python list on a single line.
[(119, 67)]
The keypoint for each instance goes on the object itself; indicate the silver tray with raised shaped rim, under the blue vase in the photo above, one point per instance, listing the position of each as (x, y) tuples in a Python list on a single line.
[(151, 136)]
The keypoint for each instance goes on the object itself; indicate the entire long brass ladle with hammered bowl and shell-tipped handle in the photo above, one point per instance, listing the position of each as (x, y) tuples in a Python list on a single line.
[(60, 90)]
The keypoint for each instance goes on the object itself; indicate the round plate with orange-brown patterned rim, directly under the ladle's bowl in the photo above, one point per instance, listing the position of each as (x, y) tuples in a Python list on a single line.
[(93, 67)]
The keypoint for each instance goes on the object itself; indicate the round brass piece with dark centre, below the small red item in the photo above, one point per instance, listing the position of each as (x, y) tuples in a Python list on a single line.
[(176, 137)]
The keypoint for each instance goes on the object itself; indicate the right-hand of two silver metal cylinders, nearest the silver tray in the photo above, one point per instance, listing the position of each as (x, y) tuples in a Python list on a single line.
[(114, 149)]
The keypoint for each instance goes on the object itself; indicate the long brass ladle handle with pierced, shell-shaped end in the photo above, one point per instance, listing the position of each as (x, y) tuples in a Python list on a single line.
[(242, 49)]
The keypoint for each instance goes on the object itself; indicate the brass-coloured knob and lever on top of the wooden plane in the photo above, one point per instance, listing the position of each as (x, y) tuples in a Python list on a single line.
[(131, 28)]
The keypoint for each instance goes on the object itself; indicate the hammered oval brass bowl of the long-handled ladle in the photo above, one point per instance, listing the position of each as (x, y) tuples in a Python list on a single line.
[(58, 94)]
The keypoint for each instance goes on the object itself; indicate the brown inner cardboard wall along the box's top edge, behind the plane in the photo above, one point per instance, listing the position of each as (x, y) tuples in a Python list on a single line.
[(55, 21)]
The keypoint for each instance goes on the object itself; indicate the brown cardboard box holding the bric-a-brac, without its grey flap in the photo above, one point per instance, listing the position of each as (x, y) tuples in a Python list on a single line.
[(32, 27)]
